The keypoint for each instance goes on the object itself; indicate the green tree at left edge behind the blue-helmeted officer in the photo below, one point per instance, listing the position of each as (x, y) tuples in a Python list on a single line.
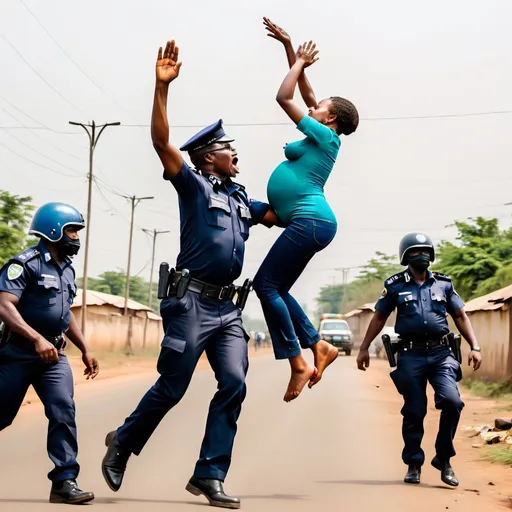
[(15, 214)]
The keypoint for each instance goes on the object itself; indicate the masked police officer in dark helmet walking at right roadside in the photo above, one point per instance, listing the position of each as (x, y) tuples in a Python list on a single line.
[(423, 299)]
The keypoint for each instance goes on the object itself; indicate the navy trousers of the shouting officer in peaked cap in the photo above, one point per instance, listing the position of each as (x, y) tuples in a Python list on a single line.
[(192, 326)]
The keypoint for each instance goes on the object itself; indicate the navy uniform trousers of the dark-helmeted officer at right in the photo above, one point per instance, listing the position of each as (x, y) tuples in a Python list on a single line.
[(414, 369)]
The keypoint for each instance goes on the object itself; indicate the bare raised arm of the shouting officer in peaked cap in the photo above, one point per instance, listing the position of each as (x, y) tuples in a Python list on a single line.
[(167, 69)]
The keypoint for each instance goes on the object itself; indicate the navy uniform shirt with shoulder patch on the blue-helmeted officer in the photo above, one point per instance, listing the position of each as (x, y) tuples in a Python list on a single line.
[(46, 289)]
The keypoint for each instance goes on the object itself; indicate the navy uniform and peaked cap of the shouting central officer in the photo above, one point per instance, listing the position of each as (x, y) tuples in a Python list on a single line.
[(215, 220)]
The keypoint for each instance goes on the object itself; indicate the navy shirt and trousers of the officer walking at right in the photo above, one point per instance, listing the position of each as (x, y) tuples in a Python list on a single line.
[(421, 323)]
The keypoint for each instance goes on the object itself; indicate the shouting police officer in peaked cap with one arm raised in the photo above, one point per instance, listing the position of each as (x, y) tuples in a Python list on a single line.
[(215, 215)]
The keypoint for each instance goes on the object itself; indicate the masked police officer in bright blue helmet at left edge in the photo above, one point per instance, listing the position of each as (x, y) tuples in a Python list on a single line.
[(37, 288)]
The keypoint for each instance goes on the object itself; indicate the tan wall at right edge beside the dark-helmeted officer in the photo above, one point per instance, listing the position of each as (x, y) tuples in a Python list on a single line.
[(494, 333)]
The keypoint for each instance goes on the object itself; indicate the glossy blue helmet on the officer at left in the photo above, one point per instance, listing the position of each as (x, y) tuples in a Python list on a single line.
[(50, 221)]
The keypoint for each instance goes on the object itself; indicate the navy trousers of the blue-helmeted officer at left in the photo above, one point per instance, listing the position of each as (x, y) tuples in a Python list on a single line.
[(20, 368)]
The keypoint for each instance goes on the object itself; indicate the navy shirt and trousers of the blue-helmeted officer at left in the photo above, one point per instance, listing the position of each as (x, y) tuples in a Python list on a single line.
[(46, 291)]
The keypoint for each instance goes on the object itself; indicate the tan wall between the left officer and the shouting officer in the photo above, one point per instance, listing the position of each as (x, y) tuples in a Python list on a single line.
[(110, 331)]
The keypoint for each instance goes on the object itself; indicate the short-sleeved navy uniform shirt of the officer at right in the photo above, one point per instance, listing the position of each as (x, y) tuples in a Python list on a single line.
[(421, 309)]
